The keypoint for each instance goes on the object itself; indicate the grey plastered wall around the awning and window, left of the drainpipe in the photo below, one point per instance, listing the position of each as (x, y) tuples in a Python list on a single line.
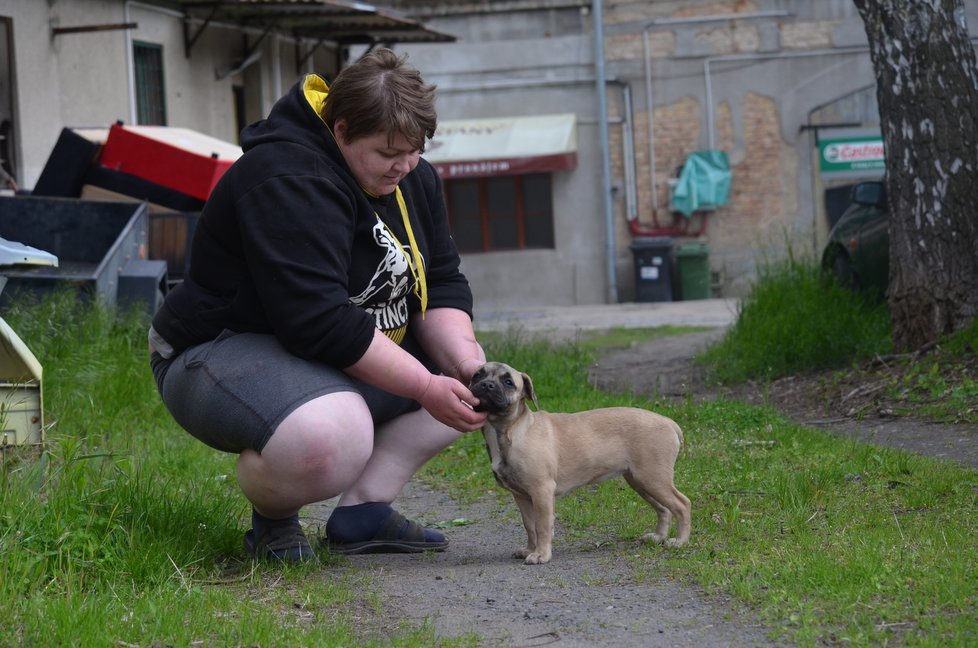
[(531, 76)]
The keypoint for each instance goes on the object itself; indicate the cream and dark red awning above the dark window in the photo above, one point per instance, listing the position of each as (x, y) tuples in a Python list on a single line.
[(471, 148)]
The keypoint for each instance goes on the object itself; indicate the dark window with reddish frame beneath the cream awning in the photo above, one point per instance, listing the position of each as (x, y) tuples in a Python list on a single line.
[(501, 213)]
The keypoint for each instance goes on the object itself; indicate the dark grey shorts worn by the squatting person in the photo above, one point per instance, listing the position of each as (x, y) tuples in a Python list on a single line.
[(232, 392)]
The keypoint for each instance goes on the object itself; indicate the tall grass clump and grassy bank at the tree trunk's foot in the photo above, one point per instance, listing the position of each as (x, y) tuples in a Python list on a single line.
[(798, 320)]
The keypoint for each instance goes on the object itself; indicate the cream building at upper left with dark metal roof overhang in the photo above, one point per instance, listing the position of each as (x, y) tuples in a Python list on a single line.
[(208, 66)]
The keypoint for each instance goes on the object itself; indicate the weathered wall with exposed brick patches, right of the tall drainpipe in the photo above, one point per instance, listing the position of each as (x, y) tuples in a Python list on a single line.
[(761, 218)]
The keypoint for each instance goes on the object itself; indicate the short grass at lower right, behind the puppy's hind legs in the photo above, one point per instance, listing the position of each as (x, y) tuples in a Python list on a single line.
[(832, 541)]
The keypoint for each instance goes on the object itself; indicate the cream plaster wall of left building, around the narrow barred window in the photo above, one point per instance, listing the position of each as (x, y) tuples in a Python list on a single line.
[(82, 79)]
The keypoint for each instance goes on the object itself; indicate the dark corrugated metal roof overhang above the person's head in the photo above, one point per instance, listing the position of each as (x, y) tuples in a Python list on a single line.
[(344, 23)]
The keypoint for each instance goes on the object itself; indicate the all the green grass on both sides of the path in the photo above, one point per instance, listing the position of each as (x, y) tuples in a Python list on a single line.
[(127, 531)]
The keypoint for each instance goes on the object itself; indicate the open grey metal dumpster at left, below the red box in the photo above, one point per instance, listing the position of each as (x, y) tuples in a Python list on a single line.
[(97, 245)]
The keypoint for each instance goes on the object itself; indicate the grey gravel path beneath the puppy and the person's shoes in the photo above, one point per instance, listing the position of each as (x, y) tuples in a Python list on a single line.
[(586, 596)]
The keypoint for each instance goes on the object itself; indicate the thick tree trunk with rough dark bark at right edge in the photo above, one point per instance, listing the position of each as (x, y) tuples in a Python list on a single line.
[(927, 87)]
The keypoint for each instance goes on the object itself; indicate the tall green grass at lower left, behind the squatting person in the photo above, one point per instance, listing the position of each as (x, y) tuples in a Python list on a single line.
[(127, 531)]
